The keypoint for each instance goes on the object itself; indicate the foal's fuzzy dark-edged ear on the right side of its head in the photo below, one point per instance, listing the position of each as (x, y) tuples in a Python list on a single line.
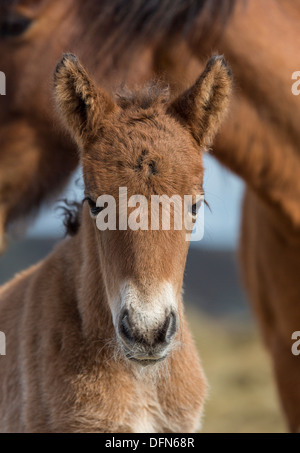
[(203, 106)]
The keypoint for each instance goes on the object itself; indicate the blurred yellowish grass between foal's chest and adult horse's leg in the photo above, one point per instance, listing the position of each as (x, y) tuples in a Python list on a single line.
[(242, 396)]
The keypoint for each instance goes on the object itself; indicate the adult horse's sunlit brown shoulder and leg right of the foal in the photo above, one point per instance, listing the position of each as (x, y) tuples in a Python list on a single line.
[(261, 143)]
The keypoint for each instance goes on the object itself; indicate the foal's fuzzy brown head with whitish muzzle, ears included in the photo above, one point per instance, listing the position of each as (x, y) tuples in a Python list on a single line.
[(149, 145)]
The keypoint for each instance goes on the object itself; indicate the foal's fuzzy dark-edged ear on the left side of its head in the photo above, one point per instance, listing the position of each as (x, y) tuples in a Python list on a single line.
[(80, 102)]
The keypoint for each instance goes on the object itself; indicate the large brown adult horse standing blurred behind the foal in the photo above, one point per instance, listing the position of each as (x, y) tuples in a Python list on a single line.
[(260, 140)]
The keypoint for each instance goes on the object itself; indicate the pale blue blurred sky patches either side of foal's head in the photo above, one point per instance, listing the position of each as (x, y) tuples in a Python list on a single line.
[(223, 191)]
